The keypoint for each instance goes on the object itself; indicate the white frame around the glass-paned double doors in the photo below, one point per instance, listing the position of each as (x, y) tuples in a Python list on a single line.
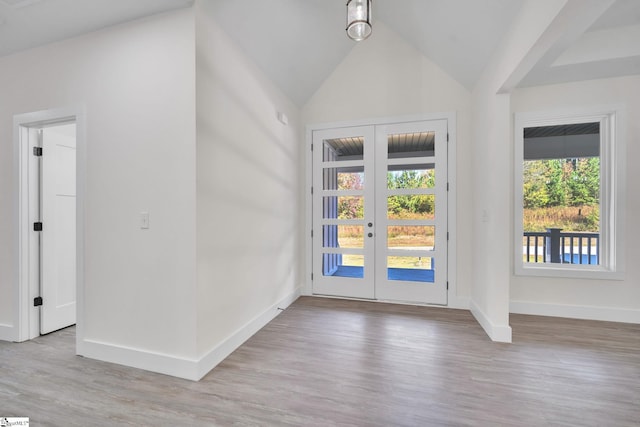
[(452, 299)]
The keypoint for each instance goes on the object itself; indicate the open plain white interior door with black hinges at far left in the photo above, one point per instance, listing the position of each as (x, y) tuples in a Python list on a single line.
[(58, 235)]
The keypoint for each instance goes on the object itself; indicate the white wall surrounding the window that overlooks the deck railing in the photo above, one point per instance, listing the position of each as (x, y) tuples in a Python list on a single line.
[(597, 299)]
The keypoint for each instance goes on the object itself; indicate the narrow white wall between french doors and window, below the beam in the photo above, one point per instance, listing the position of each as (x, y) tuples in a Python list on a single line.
[(491, 214)]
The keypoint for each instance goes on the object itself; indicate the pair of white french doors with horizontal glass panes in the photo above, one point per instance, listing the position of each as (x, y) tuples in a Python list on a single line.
[(380, 212)]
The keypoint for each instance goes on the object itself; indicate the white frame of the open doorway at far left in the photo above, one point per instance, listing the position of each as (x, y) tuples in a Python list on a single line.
[(26, 319)]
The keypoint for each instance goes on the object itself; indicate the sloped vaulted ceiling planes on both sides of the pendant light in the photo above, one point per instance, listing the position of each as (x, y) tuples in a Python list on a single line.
[(299, 43)]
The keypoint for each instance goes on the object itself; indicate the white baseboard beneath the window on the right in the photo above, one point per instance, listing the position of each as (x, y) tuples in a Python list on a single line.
[(607, 314)]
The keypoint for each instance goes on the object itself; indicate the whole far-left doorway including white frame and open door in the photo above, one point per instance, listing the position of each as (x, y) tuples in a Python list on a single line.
[(49, 221)]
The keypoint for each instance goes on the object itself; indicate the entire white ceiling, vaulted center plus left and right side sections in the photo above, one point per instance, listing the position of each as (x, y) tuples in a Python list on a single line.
[(298, 43)]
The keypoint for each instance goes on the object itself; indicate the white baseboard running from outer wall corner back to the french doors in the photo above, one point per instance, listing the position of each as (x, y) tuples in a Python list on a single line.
[(228, 346)]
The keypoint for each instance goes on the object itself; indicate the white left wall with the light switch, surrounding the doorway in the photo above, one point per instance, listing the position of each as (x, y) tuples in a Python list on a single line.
[(136, 83)]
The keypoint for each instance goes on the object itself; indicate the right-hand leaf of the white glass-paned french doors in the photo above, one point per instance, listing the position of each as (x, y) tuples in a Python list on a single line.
[(411, 212)]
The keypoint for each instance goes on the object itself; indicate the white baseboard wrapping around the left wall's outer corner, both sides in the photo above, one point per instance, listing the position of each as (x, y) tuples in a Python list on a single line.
[(190, 369)]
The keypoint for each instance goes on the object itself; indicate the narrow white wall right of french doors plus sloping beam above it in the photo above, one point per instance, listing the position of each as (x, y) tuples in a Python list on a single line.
[(492, 166)]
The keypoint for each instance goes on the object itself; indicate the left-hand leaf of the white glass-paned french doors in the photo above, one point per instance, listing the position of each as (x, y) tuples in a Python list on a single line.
[(343, 212)]
